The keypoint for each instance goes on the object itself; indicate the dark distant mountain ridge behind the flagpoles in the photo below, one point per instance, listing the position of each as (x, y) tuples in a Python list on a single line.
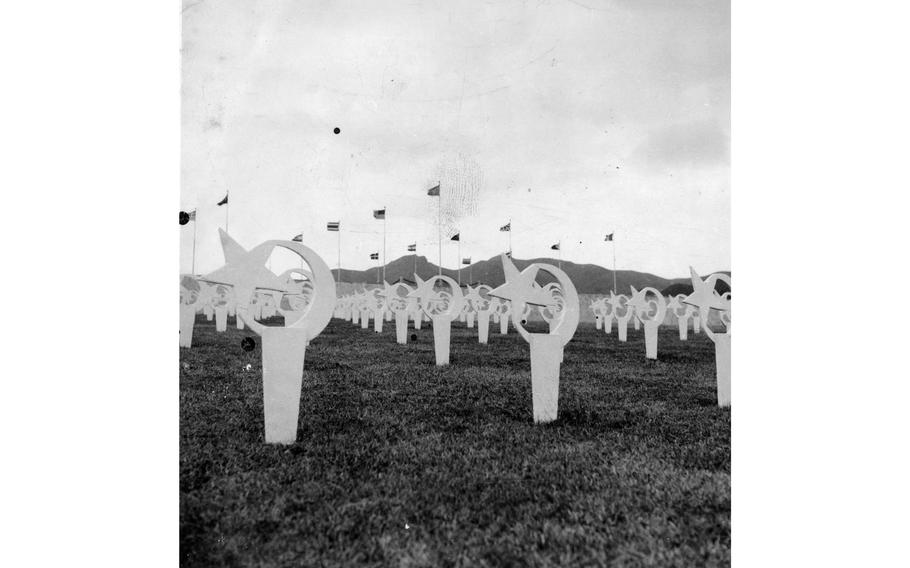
[(588, 278)]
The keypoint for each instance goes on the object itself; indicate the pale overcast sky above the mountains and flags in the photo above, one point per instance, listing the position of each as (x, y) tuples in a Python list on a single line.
[(574, 119)]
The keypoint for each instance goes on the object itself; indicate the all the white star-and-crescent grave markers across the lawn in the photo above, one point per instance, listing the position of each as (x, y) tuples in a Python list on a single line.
[(244, 287)]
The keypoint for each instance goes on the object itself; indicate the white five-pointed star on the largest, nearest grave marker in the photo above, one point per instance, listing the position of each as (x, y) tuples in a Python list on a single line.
[(245, 270)]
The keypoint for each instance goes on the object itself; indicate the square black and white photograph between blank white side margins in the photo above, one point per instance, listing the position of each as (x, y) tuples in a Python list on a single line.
[(455, 283)]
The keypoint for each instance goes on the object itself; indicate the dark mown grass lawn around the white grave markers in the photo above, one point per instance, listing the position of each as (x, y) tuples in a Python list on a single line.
[(402, 463)]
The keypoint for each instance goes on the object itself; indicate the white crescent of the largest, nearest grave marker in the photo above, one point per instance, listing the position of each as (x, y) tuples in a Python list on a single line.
[(319, 311)]
